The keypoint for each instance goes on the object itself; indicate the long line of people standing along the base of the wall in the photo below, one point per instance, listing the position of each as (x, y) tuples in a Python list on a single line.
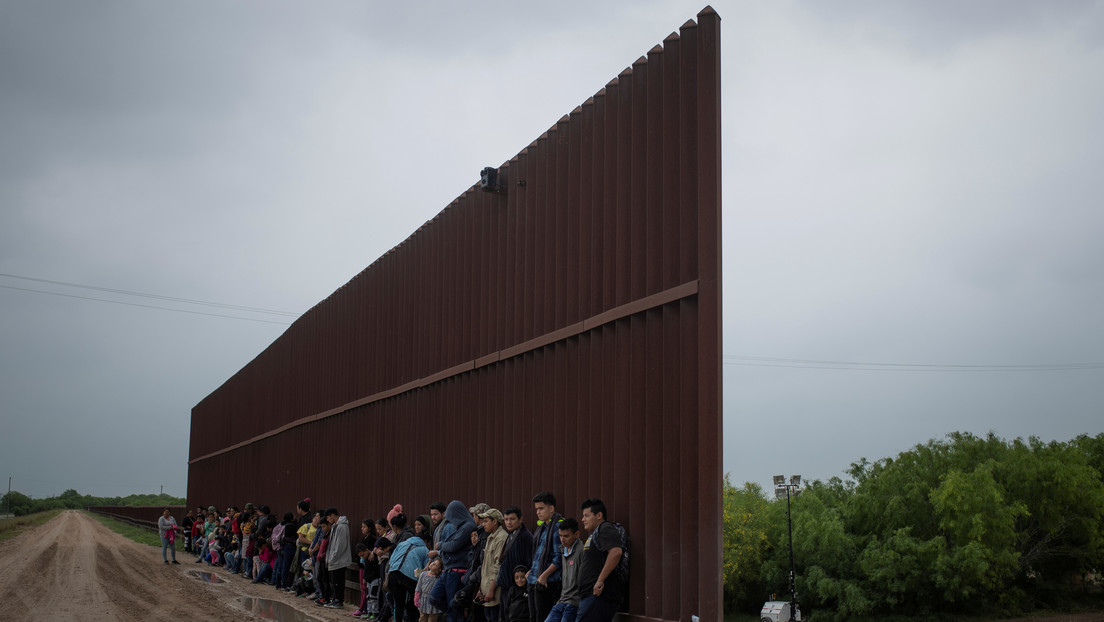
[(453, 564)]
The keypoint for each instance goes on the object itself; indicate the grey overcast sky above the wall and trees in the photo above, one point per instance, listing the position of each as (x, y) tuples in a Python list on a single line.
[(915, 184)]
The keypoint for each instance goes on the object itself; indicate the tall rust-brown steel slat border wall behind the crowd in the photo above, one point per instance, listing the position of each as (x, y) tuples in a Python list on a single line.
[(564, 336)]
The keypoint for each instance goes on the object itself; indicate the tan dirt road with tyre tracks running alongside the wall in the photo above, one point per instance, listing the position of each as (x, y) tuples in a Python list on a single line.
[(75, 568)]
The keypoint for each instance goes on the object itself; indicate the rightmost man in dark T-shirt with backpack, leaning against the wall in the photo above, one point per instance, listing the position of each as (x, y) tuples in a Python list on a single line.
[(600, 589)]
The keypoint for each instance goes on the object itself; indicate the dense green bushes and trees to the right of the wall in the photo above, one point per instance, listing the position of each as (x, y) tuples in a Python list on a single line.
[(967, 525)]
